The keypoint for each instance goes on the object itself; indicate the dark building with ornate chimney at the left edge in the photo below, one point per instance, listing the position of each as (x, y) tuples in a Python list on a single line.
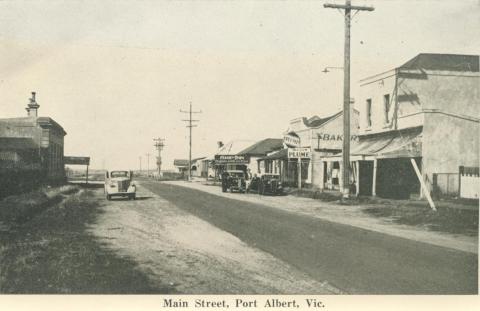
[(32, 143)]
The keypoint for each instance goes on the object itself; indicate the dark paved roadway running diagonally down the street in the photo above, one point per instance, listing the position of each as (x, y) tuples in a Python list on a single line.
[(354, 260)]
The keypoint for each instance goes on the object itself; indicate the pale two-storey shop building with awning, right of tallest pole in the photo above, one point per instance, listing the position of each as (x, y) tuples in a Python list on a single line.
[(422, 116)]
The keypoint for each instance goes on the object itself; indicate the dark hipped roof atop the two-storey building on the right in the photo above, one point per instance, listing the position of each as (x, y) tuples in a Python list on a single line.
[(448, 62)]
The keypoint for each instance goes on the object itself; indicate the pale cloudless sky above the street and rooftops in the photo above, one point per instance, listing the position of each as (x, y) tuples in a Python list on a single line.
[(115, 74)]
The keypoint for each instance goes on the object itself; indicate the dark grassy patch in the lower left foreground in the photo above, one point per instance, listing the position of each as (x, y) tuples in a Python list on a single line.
[(45, 247)]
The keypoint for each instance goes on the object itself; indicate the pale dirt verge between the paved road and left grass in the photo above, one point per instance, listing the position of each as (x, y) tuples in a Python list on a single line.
[(190, 255)]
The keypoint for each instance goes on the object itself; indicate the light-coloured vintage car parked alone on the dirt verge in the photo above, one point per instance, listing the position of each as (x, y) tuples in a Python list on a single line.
[(119, 183)]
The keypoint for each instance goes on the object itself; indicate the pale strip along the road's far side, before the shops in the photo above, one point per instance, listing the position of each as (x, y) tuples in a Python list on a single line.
[(353, 215)]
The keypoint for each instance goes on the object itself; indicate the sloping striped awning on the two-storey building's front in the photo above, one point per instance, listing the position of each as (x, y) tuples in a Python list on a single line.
[(392, 144)]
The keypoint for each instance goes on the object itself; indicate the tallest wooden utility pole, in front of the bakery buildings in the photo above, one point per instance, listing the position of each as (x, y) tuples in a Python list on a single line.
[(348, 7)]
